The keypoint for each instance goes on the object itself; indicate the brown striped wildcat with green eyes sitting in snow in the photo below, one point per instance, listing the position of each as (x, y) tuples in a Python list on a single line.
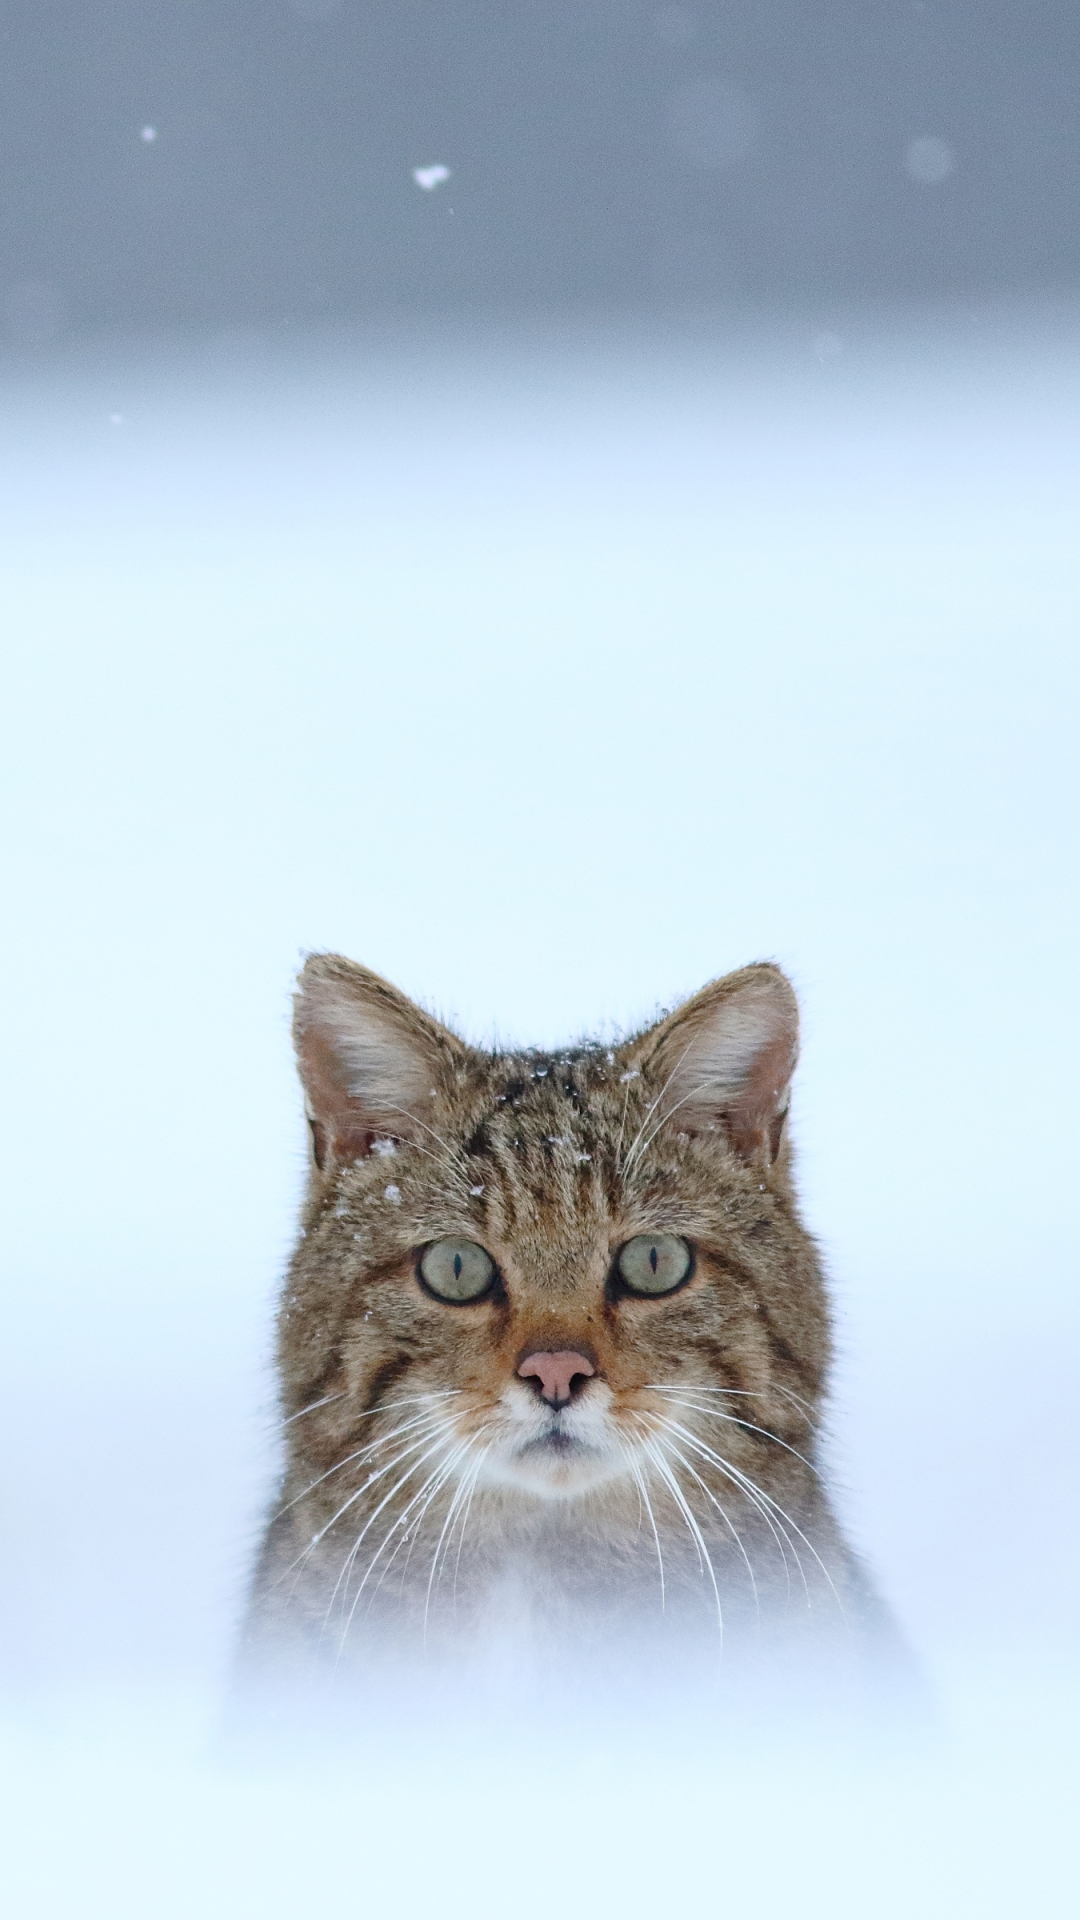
[(554, 1339)]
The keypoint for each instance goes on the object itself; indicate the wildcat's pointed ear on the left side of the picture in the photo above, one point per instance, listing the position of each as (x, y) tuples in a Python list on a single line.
[(370, 1059)]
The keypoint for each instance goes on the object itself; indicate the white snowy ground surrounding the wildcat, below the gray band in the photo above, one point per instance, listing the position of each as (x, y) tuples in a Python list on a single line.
[(549, 677)]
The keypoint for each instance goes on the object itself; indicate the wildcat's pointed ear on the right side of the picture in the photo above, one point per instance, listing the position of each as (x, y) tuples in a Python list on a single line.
[(727, 1057)]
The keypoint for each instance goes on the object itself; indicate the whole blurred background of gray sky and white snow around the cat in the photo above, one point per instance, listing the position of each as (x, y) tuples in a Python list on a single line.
[(554, 502)]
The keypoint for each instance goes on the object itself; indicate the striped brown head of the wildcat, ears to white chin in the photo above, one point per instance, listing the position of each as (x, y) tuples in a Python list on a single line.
[(537, 1260)]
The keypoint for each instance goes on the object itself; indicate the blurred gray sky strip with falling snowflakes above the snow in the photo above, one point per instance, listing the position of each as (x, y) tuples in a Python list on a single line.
[(251, 162)]
